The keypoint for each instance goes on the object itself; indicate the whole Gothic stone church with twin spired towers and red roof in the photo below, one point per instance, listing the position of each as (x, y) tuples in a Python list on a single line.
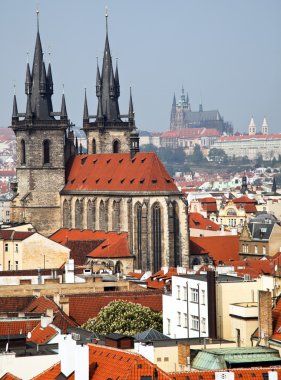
[(113, 187)]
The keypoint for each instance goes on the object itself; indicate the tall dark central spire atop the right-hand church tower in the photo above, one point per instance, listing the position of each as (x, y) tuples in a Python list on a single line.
[(107, 89)]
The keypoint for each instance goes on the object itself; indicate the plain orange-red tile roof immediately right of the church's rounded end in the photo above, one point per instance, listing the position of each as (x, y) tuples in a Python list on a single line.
[(220, 248)]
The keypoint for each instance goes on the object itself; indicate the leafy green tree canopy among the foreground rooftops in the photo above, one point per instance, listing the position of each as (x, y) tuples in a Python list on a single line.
[(124, 318)]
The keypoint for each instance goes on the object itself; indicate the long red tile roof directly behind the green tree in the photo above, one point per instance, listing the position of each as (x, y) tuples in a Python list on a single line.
[(84, 307)]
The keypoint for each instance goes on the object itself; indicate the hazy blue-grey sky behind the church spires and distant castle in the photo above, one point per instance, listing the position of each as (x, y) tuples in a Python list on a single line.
[(228, 52)]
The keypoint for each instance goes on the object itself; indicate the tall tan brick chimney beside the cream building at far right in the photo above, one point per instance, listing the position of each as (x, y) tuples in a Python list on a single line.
[(265, 317)]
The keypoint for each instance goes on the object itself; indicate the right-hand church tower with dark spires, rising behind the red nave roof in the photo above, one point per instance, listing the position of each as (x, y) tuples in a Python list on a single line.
[(108, 133)]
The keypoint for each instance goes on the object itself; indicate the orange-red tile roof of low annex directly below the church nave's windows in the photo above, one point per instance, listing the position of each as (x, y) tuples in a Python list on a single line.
[(109, 244)]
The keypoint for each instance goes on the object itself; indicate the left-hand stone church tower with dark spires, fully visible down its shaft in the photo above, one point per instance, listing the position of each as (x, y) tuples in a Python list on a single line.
[(44, 143)]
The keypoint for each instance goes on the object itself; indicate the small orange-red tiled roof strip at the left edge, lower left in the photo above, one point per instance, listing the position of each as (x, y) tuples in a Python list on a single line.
[(17, 326)]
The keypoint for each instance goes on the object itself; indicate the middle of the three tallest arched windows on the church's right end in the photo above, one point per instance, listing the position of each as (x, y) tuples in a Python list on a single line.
[(156, 237)]
